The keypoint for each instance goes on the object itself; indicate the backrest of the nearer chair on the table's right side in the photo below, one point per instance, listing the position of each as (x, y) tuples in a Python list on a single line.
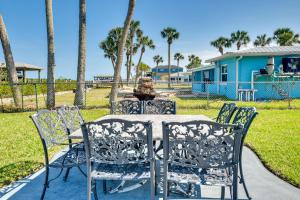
[(245, 116)]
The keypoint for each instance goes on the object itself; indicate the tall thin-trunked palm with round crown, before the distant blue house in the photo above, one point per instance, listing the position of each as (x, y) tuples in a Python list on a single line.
[(171, 34)]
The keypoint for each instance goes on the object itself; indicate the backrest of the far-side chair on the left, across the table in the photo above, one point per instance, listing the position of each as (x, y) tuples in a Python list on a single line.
[(126, 107)]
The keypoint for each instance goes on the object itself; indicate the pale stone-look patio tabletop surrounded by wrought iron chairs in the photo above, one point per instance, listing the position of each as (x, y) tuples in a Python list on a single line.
[(155, 119)]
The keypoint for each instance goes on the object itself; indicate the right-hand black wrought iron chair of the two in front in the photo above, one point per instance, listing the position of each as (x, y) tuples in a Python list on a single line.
[(201, 152)]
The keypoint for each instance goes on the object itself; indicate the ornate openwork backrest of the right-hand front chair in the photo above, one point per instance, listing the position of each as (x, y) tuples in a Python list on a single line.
[(201, 144)]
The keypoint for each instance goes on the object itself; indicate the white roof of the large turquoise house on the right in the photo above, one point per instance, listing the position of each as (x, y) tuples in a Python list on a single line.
[(260, 51)]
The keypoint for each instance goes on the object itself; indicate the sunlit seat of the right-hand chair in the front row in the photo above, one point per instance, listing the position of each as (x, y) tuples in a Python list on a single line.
[(200, 176)]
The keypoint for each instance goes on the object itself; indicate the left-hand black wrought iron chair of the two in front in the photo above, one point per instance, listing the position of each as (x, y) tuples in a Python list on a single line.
[(119, 150)]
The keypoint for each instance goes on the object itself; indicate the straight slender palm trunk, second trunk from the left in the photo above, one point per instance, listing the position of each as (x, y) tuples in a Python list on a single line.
[(51, 61)]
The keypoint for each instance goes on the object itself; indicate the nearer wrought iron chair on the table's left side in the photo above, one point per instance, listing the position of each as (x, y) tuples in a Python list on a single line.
[(53, 132)]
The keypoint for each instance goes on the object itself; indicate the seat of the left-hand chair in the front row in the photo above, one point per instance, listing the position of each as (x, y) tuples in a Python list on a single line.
[(121, 172)]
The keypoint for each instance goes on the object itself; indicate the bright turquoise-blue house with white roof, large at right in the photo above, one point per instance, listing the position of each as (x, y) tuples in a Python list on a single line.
[(252, 74)]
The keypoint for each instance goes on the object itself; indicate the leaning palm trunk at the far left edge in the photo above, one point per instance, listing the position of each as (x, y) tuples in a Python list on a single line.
[(10, 64)]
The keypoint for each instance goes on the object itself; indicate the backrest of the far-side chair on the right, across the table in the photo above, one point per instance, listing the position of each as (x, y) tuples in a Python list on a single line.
[(160, 106)]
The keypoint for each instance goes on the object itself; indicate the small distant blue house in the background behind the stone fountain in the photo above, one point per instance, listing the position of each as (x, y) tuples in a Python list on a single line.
[(161, 72)]
